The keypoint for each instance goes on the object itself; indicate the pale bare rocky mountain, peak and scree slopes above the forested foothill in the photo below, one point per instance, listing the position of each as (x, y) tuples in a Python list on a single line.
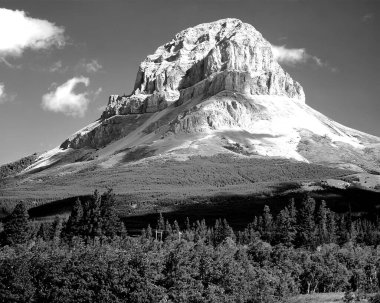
[(214, 88)]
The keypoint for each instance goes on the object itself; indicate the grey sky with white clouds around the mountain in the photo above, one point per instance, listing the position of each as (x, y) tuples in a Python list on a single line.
[(61, 59)]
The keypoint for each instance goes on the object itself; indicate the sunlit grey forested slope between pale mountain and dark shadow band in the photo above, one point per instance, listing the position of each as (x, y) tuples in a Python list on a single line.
[(155, 180)]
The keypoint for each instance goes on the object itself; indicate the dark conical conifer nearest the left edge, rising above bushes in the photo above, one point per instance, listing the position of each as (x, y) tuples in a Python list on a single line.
[(16, 227)]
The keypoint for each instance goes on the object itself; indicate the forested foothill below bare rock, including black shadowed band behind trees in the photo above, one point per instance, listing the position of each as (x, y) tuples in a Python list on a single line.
[(228, 187)]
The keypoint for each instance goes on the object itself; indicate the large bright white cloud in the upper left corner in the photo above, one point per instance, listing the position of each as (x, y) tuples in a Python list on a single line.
[(19, 32)]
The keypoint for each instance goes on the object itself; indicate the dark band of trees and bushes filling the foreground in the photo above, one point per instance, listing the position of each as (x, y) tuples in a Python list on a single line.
[(304, 248)]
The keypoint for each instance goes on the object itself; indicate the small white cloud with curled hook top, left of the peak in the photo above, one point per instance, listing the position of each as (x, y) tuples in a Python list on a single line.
[(65, 100)]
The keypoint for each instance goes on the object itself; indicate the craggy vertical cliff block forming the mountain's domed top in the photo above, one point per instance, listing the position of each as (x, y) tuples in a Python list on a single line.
[(204, 60)]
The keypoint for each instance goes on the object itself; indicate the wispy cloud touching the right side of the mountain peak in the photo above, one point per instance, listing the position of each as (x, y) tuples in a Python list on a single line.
[(293, 56)]
